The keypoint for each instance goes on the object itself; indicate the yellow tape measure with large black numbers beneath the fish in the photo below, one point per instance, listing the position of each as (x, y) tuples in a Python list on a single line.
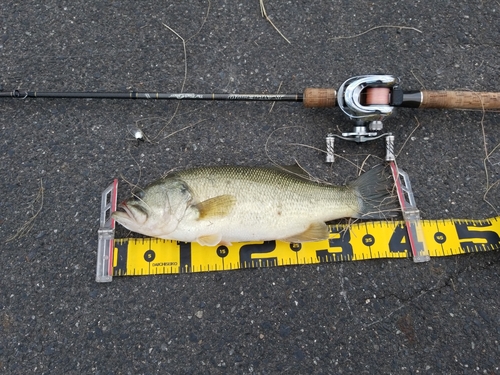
[(362, 241)]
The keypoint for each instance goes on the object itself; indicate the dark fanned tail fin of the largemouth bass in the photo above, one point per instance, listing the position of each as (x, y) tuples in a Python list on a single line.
[(375, 191)]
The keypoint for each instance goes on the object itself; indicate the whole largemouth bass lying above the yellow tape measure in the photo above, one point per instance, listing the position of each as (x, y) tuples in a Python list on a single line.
[(220, 205)]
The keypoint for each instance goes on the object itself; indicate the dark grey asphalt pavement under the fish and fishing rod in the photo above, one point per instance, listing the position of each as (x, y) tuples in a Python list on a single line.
[(57, 155)]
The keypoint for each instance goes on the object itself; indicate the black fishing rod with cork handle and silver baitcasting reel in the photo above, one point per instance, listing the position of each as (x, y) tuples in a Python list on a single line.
[(366, 99)]
